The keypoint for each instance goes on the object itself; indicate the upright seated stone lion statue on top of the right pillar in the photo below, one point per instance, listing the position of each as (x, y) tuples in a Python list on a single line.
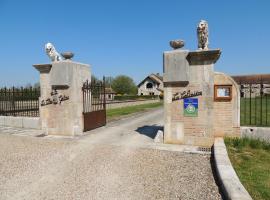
[(202, 33)]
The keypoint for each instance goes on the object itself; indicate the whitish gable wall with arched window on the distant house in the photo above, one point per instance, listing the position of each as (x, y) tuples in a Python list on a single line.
[(146, 89)]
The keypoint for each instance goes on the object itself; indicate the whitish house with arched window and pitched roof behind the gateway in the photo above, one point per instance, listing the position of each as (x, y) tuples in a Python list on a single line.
[(151, 85)]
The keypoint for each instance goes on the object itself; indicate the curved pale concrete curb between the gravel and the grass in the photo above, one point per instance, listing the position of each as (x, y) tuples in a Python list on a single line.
[(230, 183)]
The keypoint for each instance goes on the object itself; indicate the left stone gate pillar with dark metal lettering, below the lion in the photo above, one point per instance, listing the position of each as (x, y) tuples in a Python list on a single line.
[(61, 101)]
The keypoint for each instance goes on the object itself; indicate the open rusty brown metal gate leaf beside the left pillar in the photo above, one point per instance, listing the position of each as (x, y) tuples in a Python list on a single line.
[(94, 104)]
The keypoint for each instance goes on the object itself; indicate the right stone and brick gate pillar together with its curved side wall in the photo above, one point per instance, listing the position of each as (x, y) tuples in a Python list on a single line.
[(194, 72)]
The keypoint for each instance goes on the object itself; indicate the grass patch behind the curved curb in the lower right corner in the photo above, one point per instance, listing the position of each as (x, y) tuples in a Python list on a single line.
[(251, 161)]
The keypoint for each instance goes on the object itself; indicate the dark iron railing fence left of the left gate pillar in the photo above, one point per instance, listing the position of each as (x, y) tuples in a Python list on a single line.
[(19, 101)]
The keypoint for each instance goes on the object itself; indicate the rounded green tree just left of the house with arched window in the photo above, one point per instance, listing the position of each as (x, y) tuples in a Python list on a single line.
[(124, 85)]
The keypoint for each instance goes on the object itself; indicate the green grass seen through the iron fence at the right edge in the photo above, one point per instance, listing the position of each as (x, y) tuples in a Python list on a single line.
[(258, 114)]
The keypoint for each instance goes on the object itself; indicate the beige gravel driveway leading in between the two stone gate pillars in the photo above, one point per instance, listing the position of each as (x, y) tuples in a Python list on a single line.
[(119, 161)]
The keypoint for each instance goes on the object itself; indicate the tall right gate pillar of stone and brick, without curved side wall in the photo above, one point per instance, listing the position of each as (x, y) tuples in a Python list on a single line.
[(189, 74)]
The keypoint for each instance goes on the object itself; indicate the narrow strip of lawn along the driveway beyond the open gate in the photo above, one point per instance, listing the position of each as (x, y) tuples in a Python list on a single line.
[(118, 112)]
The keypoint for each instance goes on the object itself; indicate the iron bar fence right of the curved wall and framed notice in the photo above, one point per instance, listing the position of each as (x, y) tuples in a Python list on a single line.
[(254, 102)]
